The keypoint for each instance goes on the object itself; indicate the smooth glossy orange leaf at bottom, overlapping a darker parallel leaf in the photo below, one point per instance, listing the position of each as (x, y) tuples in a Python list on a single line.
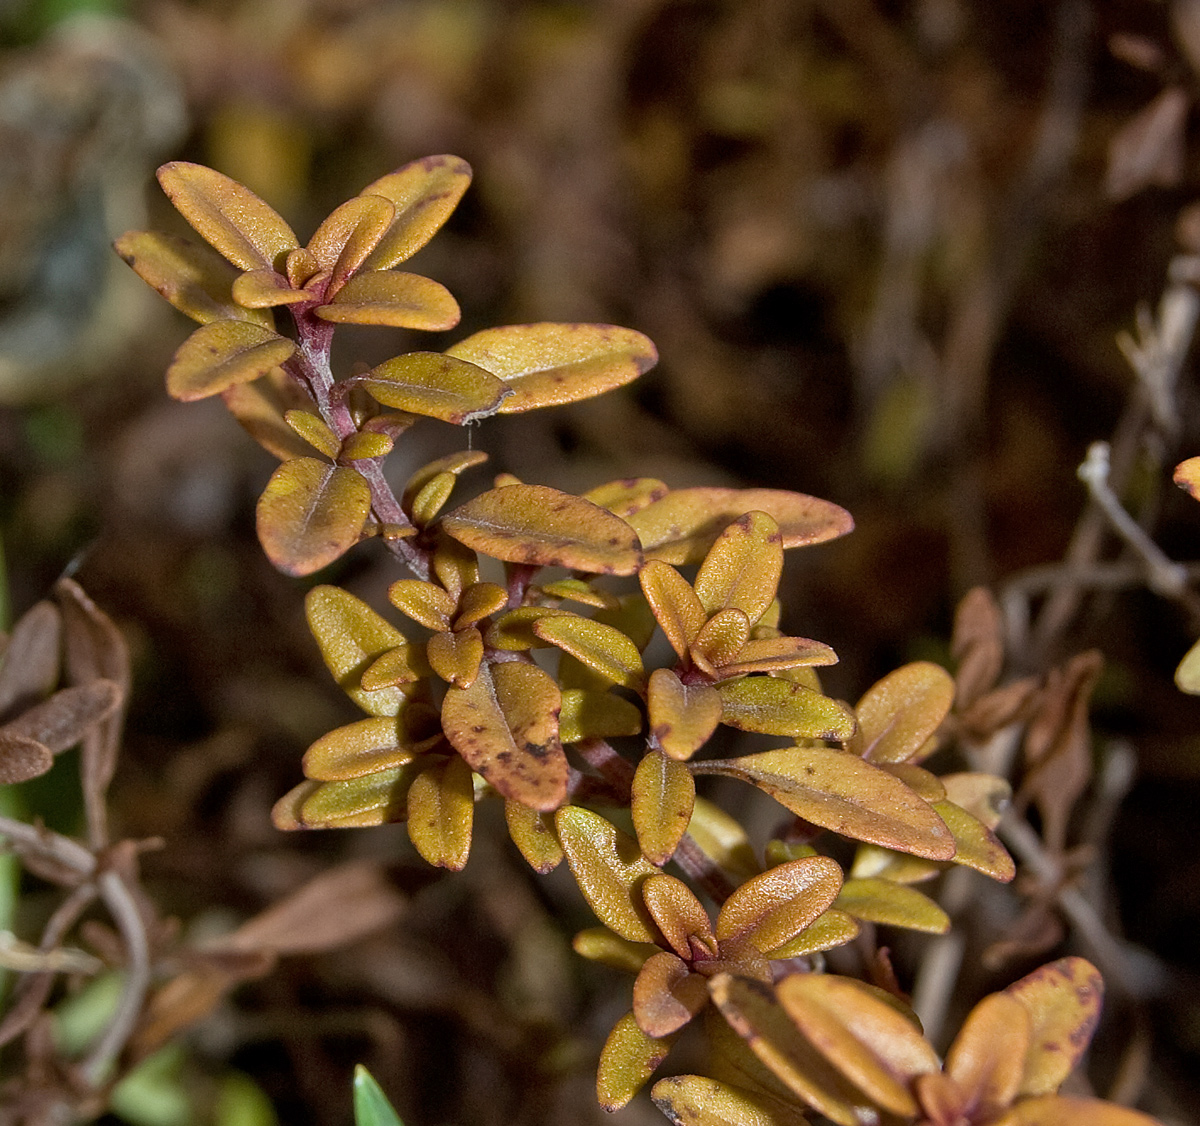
[(869, 1041)]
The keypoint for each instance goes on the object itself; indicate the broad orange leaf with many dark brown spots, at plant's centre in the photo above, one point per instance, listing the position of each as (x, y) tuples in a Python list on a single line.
[(506, 726)]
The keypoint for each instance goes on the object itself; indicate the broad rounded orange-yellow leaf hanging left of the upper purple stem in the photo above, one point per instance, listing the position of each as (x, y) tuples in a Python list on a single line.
[(310, 514)]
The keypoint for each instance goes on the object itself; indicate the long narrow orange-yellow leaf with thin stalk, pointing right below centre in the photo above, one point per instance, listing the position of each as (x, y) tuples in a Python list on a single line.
[(841, 792)]
